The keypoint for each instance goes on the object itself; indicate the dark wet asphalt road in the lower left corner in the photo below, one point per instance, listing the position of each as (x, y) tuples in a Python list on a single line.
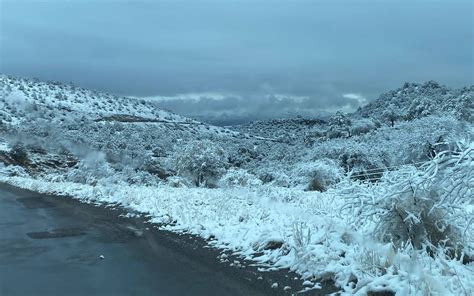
[(51, 246)]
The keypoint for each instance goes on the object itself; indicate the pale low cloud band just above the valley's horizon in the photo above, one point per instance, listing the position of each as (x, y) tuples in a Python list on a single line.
[(226, 109)]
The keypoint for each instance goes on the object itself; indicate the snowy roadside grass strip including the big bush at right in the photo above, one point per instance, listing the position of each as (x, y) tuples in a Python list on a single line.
[(347, 234)]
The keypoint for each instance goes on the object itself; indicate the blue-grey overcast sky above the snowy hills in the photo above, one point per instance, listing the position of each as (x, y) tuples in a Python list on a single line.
[(240, 59)]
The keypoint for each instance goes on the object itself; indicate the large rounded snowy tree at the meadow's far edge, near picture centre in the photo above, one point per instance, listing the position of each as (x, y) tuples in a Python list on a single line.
[(202, 161)]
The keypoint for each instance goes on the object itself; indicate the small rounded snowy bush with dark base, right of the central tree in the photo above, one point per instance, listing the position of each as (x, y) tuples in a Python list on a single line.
[(320, 174)]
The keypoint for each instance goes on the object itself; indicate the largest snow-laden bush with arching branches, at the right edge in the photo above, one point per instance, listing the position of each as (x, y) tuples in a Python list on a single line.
[(425, 208)]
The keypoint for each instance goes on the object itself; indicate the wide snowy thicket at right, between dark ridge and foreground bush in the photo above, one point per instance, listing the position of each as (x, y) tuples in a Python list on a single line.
[(386, 146)]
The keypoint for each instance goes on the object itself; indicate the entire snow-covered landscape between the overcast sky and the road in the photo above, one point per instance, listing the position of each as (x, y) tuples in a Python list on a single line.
[(377, 201)]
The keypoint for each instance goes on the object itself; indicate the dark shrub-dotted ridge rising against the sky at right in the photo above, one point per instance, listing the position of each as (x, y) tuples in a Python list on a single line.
[(411, 101)]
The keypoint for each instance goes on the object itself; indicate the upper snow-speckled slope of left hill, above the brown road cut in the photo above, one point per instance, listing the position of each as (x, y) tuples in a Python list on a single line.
[(60, 102)]
